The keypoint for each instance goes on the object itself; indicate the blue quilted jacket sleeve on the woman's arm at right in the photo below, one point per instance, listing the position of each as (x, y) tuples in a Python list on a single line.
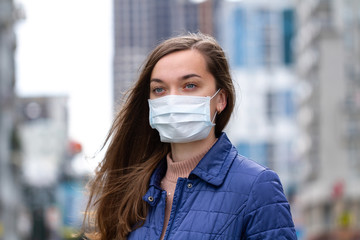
[(267, 213)]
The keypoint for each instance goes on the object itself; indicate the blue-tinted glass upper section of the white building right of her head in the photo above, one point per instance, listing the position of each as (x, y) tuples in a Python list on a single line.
[(254, 37)]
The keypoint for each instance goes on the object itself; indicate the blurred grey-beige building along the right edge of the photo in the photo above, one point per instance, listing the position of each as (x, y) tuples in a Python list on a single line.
[(328, 66)]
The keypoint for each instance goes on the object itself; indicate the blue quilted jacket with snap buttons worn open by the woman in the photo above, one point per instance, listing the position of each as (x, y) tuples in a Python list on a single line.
[(227, 196)]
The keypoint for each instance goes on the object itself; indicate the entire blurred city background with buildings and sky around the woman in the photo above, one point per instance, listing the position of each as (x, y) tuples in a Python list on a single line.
[(64, 66)]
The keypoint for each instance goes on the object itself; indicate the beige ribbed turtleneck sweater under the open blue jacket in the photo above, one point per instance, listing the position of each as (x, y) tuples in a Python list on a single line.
[(174, 171)]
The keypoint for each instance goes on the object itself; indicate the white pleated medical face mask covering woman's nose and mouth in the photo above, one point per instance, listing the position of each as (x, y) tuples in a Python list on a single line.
[(181, 118)]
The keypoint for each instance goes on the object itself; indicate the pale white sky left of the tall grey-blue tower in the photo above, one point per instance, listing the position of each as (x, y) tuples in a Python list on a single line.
[(64, 47)]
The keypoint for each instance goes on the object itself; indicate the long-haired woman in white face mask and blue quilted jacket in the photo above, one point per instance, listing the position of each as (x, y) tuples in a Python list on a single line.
[(169, 171)]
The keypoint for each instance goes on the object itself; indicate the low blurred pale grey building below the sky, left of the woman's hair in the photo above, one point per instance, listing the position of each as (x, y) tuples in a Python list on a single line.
[(52, 190)]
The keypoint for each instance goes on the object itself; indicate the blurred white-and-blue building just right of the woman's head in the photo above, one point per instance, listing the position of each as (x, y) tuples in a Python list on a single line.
[(257, 37)]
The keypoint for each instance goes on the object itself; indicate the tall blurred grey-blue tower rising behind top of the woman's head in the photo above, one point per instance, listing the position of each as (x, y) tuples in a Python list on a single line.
[(140, 25)]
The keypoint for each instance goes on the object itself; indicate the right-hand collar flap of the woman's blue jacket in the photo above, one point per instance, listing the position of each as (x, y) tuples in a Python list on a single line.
[(214, 166)]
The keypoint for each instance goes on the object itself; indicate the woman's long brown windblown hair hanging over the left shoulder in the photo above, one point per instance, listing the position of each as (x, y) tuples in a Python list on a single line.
[(115, 205)]
